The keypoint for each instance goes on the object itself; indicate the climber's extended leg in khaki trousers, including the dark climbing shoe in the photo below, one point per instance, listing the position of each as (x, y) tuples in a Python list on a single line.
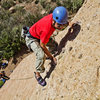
[(34, 45)]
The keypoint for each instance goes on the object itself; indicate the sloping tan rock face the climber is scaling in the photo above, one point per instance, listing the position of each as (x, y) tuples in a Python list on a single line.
[(77, 74)]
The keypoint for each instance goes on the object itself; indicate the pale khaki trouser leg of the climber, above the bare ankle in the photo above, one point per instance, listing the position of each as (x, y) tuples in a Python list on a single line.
[(34, 45)]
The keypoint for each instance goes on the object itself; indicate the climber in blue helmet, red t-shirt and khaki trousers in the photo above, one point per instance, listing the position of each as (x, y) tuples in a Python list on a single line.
[(38, 36)]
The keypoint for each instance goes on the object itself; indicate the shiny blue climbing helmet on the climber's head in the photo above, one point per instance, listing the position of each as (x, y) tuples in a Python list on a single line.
[(60, 15)]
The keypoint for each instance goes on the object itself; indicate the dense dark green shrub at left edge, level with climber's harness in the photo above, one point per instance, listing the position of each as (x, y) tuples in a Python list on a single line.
[(9, 42)]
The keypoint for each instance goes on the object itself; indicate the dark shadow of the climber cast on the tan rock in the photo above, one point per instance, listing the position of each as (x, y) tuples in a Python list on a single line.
[(71, 35)]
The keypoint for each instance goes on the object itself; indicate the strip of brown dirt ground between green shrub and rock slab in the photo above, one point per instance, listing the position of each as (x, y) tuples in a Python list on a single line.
[(13, 62)]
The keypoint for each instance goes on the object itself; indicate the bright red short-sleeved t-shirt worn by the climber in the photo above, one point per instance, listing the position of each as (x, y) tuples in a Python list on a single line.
[(43, 29)]
